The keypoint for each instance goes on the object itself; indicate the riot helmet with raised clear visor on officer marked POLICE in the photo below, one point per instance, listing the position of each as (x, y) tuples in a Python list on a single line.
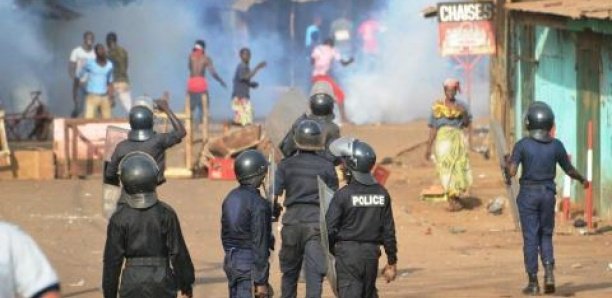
[(359, 158)]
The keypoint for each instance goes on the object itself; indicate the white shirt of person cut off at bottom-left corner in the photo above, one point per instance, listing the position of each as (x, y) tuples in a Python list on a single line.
[(24, 269)]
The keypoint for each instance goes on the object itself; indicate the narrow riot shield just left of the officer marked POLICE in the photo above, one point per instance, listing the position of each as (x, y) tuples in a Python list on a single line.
[(325, 196)]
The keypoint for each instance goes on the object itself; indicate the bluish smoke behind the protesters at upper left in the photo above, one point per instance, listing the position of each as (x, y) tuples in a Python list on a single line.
[(157, 34)]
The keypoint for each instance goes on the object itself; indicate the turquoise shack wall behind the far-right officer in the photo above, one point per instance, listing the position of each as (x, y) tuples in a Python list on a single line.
[(572, 72)]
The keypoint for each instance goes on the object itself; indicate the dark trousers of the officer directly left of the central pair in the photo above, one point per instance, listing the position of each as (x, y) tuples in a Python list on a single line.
[(237, 266)]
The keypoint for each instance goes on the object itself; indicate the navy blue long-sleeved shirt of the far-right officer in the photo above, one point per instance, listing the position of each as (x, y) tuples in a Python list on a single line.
[(539, 160)]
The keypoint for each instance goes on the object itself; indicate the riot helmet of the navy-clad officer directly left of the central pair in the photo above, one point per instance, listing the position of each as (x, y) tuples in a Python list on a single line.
[(250, 168)]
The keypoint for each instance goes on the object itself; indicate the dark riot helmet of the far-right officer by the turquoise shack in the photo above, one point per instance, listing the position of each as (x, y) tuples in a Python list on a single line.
[(539, 121)]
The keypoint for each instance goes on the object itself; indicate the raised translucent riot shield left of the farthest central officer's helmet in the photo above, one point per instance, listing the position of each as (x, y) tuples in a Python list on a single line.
[(289, 107)]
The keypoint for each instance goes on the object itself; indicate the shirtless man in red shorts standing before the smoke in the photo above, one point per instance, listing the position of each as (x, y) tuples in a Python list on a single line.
[(197, 87)]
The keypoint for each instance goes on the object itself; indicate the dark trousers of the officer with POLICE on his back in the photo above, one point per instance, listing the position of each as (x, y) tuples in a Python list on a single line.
[(357, 269)]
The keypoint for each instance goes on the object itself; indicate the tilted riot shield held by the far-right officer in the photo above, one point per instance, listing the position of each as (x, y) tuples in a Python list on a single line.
[(511, 185)]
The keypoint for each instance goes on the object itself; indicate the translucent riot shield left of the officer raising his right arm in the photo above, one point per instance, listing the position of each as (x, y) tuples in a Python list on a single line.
[(111, 193)]
